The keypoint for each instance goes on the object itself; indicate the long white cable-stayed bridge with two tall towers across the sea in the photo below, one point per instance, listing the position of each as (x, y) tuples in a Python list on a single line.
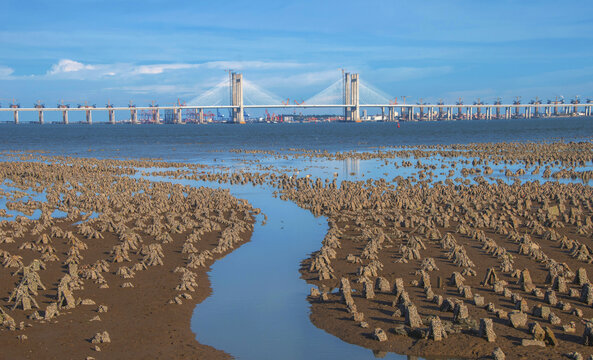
[(348, 94)]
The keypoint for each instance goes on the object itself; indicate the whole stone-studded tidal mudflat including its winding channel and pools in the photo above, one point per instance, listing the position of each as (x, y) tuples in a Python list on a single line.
[(478, 250)]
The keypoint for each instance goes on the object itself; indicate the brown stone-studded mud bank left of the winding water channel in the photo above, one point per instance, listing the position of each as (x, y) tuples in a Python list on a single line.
[(121, 283)]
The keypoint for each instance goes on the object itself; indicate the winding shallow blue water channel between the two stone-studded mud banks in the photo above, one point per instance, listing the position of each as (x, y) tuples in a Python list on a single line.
[(258, 308)]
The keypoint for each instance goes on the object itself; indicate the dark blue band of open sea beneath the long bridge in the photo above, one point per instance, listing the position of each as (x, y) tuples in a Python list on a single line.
[(194, 142)]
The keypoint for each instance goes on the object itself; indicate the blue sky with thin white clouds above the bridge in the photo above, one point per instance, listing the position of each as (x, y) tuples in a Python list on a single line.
[(147, 50)]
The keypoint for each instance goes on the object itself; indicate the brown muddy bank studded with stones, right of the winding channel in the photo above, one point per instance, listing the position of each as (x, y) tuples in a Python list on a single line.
[(453, 270)]
